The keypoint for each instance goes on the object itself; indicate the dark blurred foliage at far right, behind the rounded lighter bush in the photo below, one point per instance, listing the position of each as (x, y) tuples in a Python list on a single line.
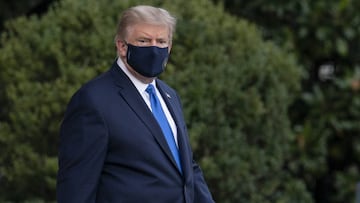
[(325, 36)]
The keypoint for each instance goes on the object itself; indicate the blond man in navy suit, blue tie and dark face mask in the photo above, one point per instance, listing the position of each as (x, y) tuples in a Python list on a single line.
[(123, 138)]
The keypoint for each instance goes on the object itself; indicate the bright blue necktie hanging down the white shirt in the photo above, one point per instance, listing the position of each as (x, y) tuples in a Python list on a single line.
[(161, 119)]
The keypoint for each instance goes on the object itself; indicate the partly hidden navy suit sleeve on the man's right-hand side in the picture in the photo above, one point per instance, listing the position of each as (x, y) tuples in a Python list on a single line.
[(202, 193)]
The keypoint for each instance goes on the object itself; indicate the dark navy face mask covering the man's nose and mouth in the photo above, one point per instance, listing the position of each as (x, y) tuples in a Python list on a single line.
[(149, 61)]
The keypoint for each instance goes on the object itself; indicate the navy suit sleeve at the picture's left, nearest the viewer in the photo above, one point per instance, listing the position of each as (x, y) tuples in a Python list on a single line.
[(82, 151)]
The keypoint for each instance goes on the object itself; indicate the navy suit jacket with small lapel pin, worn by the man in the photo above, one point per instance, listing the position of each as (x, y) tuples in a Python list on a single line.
[(113, 150)]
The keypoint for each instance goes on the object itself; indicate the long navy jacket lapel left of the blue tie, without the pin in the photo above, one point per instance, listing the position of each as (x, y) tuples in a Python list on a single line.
[(132, 97)]
